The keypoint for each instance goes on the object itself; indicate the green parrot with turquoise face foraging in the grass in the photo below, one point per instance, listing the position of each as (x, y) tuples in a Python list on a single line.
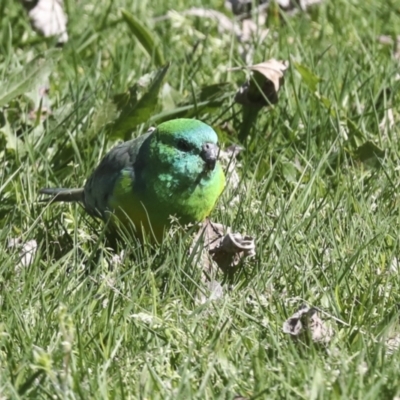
[(171, 170)]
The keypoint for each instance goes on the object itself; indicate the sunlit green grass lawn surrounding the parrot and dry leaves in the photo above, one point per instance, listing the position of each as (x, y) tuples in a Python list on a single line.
[(316, 194)]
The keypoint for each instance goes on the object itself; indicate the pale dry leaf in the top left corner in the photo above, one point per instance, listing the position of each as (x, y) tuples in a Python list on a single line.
[(48, 18)]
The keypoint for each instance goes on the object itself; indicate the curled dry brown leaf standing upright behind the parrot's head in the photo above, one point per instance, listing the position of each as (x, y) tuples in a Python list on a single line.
[(262, 90)]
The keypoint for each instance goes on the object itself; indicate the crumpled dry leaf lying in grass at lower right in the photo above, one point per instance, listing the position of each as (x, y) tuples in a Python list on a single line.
[(306, 322)]
